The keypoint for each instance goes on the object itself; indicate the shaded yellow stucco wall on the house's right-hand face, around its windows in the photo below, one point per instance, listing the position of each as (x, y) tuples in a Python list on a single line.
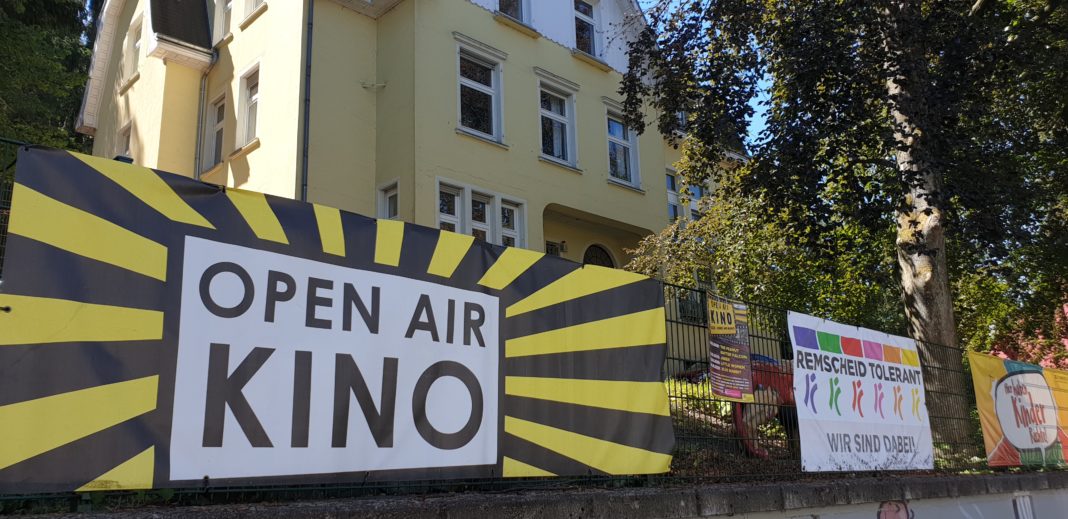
[(441, 152)]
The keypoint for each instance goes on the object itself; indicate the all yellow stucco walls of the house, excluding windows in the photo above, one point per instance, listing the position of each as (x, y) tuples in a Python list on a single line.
[(385, 111)]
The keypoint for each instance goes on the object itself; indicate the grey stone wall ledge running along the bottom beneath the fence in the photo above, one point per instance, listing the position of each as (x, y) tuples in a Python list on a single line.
[(669, 504)]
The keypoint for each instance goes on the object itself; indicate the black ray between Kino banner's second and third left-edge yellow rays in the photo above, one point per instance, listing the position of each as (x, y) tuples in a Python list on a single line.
[(72, 367)]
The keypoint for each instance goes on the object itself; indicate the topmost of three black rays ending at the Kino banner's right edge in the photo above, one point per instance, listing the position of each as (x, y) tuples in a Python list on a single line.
[(627, 300)]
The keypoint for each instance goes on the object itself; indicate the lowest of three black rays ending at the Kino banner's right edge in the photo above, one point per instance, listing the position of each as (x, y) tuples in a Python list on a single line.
[(637, 430)]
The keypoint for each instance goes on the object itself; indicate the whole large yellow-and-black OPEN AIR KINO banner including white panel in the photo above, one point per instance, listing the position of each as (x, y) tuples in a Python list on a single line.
[(164, 332)]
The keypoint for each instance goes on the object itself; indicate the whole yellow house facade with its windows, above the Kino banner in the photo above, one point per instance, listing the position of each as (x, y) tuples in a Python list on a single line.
[(499, 119)]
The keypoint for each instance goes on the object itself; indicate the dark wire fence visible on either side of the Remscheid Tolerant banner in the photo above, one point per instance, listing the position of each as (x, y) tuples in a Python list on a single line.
[(712, 433)]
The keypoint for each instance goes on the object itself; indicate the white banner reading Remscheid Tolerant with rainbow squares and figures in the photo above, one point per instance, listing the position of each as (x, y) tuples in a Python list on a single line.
[(860, 398)]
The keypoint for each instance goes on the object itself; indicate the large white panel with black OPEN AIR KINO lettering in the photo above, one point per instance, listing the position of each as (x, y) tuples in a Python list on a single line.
[(292, 367)]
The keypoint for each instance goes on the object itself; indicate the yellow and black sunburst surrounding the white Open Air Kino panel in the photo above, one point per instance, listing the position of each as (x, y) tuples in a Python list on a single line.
[(89, 350)]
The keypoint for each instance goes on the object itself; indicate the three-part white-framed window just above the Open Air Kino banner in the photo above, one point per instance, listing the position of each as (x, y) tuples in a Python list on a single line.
[(486, 216)]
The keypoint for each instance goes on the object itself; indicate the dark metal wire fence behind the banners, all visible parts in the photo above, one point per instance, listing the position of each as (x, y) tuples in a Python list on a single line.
[(710, 446)]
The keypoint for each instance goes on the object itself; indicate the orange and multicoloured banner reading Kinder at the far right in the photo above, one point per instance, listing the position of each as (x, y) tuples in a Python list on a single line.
[(1022, 408)]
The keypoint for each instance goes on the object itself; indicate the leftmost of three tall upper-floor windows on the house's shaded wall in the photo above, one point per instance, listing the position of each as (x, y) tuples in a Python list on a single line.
[(480, 96)]
